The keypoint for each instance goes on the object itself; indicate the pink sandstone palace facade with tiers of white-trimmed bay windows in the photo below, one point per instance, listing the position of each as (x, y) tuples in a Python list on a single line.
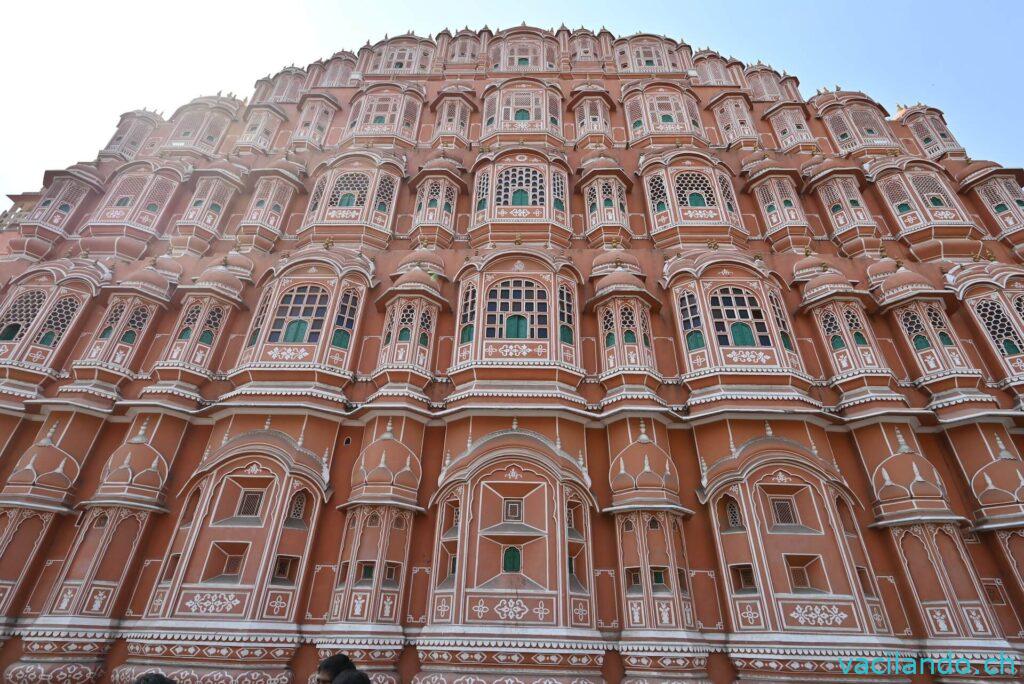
[(514, 357)]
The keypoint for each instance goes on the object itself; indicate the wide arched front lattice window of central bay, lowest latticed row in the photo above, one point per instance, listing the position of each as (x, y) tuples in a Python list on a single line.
[(517, 309)]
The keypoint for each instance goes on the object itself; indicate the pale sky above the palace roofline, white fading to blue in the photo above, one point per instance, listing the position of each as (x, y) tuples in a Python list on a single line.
[(72, 68)]
